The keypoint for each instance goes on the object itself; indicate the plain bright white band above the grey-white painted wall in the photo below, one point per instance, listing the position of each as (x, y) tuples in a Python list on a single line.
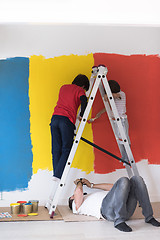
[(75, 11)]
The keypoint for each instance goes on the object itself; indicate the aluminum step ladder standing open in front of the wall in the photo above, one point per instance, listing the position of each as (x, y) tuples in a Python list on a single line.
[(98, 81)]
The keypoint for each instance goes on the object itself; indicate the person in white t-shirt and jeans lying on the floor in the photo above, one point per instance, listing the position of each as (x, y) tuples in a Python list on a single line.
[(115, 203)]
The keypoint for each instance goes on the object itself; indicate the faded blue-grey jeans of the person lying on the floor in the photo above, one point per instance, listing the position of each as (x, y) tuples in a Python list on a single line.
[(121, 201)]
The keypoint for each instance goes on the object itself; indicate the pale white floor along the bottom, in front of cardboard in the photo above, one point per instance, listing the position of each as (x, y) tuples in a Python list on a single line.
[(60, 230)]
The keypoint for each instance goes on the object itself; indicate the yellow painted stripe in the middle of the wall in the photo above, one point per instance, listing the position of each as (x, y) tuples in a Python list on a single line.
[(45, 79)]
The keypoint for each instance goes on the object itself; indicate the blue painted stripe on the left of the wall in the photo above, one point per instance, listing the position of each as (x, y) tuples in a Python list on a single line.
[(15, 142)]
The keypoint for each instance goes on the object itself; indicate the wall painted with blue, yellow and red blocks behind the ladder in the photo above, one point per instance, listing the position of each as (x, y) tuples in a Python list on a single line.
[(35, 61)]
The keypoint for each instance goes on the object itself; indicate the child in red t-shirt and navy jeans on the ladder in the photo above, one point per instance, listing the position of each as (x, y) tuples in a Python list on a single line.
[(63, 120)]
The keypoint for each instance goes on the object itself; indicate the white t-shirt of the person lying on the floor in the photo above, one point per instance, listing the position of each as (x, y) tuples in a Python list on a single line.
[(91, 204)]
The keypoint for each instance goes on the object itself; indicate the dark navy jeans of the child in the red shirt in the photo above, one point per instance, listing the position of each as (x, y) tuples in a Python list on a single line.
[(62, 131)]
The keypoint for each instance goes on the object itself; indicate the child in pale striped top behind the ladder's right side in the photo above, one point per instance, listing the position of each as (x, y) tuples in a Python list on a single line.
[(120, 102)]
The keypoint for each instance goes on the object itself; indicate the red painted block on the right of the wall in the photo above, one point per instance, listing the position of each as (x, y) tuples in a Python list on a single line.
[(139, 78)]
